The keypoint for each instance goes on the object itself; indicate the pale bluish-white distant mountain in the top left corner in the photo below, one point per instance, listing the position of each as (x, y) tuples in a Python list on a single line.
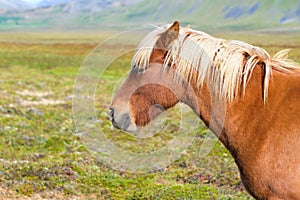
[(13, 5)]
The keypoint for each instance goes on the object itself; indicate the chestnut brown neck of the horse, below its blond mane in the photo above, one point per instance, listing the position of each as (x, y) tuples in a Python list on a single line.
[(226, 119)]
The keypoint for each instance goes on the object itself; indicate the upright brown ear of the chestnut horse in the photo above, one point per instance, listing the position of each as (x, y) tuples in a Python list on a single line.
[(168, 36)]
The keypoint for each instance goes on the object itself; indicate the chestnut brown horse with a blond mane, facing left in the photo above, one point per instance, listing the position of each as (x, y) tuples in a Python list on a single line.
[(260, 96)]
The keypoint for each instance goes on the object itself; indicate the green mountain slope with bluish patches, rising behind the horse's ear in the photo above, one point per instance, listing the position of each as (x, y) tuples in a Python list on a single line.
[(231, 14)]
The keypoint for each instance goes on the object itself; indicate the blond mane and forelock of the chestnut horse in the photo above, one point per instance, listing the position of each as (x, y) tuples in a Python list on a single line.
[(225, 65)]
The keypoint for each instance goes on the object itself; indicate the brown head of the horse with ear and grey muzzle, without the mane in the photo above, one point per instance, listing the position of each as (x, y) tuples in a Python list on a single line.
[(149, 89)]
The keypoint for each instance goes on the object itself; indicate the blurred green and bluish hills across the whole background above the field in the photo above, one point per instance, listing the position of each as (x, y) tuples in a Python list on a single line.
[(122, 14)]
